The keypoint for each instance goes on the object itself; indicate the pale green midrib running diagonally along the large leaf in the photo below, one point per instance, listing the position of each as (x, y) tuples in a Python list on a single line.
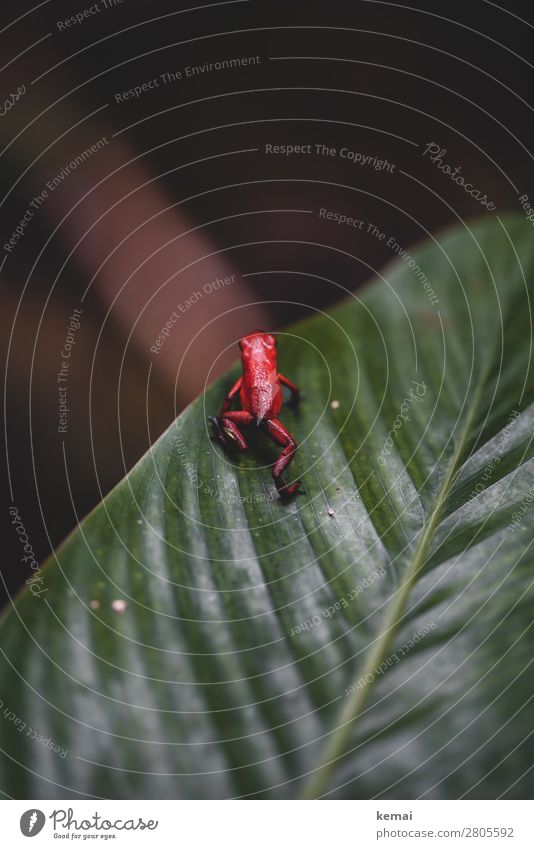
[(336, 746)]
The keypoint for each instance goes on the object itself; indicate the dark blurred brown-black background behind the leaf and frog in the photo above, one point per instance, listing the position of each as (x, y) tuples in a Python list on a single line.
[(459, 74)]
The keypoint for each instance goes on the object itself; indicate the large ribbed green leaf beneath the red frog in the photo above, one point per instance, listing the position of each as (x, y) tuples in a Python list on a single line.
[(371, 638)]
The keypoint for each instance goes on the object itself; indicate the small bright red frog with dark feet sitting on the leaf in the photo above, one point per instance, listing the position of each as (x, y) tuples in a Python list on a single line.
[(260, 394)]
